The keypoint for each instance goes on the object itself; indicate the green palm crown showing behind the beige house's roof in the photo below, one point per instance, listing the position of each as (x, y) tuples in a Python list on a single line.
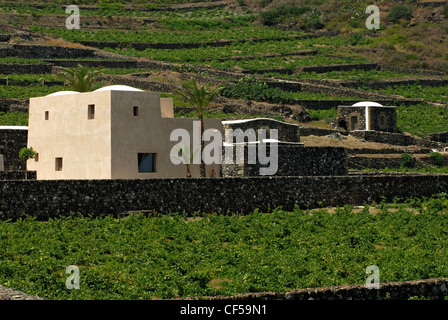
[(80, 78)]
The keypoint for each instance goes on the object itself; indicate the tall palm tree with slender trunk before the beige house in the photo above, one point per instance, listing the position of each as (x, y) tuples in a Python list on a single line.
[(200, 98)]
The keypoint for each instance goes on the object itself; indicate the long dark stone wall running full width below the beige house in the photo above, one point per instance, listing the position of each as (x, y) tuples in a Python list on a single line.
[(51, 198)]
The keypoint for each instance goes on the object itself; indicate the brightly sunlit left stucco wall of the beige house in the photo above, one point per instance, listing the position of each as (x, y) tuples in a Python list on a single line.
[(84, 145)]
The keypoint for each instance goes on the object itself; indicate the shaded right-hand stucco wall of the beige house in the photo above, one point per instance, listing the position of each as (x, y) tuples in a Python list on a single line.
[(147, 133)]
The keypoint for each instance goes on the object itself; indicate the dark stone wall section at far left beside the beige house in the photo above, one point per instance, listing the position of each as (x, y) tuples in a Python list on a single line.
[(11, 141)]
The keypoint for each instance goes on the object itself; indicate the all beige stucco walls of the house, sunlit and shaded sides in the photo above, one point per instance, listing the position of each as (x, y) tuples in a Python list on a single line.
[(107, 146)]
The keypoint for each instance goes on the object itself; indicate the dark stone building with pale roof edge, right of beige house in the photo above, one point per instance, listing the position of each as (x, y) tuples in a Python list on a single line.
[(284, 149)]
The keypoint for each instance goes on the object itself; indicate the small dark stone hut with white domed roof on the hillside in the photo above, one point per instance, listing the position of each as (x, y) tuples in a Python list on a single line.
[(365, 116)]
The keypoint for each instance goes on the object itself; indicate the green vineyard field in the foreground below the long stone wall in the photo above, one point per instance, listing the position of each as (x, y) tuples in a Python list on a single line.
[(170, 256)]
